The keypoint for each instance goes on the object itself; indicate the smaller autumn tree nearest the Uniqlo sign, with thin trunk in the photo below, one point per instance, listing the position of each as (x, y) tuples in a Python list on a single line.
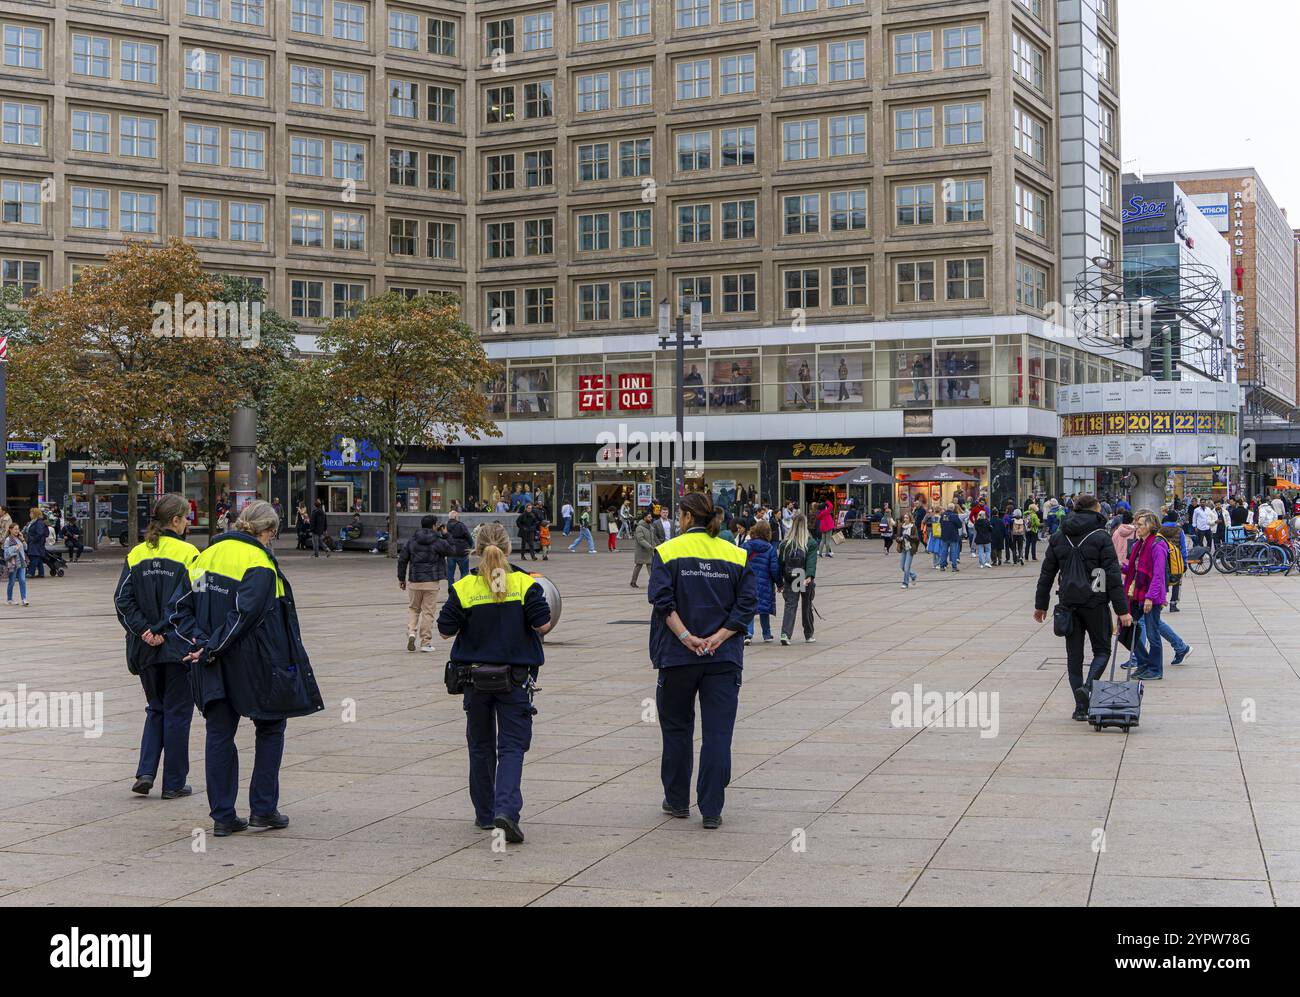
[(406, 374)]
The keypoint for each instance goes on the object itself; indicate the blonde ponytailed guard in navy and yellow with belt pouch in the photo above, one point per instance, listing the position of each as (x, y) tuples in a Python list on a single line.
[(497, 617)]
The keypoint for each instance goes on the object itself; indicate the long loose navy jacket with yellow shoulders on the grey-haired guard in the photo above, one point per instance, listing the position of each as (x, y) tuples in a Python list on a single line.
[(236, 608)]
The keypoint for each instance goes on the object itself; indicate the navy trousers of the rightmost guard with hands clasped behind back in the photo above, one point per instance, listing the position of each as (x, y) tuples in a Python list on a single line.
[(718, 687)]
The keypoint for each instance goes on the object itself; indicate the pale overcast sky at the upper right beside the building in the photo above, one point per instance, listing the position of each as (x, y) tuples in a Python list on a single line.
[(1211, 85)]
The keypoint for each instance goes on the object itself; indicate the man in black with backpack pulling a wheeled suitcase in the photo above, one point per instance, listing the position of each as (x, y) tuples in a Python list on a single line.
[(1085, 557)]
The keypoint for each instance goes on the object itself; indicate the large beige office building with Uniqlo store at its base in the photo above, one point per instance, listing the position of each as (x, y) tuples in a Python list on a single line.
[(876, 203)]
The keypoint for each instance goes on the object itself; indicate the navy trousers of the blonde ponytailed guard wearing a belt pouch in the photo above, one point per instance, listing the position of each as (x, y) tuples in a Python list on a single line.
[(500, 731)]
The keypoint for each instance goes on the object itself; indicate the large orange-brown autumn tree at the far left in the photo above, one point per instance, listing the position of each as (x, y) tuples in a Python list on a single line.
[(94, 372)]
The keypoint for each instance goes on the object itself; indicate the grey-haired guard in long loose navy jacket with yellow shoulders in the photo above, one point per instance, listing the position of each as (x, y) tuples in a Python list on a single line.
[(236, 609)]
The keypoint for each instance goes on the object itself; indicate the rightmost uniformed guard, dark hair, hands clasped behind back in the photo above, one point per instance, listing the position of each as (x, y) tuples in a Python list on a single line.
[(704, 596)]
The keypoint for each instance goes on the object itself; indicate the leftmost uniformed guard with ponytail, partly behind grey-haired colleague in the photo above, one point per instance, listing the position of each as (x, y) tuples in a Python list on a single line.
[(149, 579)]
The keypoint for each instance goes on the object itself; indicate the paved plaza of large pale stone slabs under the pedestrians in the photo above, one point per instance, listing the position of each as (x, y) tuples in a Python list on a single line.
[(830, 804)]
